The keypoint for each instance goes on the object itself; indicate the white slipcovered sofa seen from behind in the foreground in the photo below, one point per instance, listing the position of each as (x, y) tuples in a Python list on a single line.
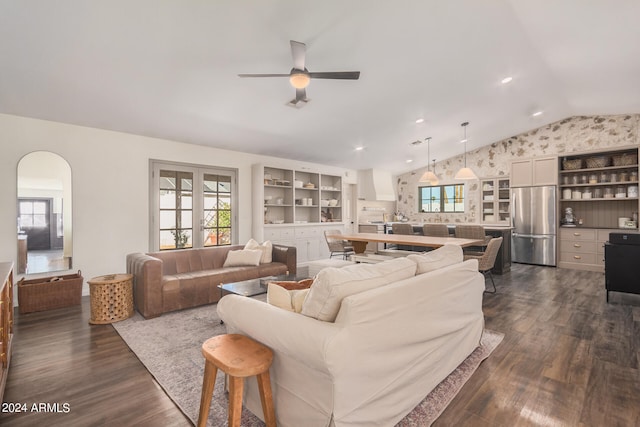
[(388, 347)]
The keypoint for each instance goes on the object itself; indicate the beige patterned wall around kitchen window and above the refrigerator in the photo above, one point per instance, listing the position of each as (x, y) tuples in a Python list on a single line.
[(575, 134)]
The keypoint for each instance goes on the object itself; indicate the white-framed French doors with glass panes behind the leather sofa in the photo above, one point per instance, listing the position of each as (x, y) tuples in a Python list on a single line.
[(192, 206)]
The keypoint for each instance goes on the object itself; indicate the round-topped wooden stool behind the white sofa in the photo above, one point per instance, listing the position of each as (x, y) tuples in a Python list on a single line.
[(238, 357)]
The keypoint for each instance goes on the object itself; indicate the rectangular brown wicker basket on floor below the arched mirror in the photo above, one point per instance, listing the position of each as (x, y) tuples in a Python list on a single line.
[(48, 293)]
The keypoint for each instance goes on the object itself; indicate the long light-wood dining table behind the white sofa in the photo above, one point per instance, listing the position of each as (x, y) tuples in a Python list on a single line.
[(360, 240)]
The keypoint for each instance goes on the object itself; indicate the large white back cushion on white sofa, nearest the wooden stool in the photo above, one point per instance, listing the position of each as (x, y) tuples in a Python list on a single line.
[(331, 284)]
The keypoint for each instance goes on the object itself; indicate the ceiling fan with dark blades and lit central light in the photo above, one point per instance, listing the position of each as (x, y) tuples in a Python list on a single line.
[(299, 76)]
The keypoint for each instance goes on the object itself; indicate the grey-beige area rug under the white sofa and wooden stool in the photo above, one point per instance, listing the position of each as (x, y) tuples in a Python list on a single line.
[(169, 346)]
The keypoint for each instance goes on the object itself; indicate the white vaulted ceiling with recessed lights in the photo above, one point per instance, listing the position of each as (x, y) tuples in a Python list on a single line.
[(169, 69)]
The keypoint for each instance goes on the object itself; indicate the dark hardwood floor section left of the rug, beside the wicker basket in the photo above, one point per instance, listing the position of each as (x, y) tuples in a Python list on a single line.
[(59, 358)]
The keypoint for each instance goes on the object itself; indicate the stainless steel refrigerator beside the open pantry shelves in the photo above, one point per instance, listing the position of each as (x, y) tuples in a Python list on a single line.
[(533, 218)]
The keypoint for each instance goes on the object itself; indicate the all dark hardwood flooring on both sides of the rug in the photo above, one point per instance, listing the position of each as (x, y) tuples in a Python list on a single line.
[(568, 359)]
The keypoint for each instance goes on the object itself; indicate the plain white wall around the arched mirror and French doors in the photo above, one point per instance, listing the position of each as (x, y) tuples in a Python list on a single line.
[(110, 173)]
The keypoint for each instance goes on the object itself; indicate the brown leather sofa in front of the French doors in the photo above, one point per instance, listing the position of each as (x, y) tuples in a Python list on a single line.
[(173, 280)]
